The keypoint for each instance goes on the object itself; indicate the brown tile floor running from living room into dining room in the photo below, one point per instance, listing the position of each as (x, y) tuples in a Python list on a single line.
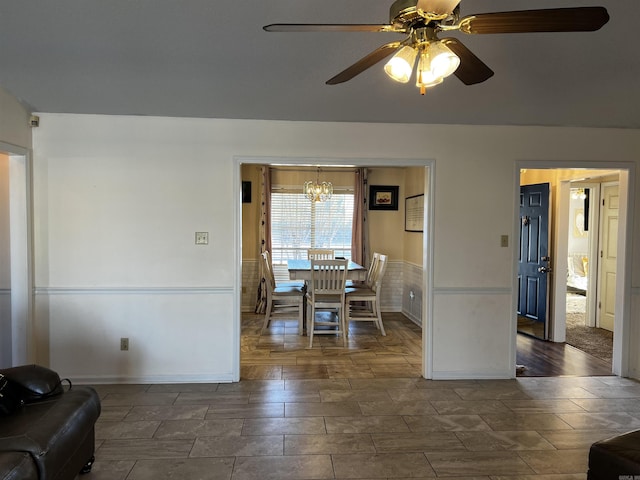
[(382, 421)]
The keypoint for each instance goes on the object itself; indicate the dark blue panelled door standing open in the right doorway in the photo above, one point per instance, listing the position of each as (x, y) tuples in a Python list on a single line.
[(533, 264)]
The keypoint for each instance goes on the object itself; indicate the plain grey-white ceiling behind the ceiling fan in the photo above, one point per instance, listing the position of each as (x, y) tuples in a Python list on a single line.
[(211, 58)]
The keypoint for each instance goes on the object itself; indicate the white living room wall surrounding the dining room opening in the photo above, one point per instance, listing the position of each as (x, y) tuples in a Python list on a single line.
[(118, 199)]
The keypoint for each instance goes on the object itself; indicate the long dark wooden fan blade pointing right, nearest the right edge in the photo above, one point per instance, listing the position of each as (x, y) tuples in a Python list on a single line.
[(577, 19)]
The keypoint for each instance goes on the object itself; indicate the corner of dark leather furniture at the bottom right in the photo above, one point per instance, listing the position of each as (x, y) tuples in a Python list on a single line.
[(615, 458)]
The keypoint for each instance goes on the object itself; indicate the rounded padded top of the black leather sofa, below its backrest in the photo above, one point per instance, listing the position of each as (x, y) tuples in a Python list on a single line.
[(51, 430)]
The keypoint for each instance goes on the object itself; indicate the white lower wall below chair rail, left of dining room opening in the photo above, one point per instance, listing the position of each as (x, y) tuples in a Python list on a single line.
[(175, 334)]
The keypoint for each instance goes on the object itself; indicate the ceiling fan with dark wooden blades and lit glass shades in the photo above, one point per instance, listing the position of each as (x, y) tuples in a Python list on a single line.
[(423, 20)]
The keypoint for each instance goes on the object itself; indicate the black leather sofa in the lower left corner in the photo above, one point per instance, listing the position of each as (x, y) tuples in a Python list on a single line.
[(52, 436)]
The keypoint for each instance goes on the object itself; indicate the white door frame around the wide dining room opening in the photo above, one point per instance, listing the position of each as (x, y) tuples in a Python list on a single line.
[(427, 245)]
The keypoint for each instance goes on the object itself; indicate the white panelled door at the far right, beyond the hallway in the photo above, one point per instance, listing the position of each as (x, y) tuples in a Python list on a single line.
[(608, 255)]
